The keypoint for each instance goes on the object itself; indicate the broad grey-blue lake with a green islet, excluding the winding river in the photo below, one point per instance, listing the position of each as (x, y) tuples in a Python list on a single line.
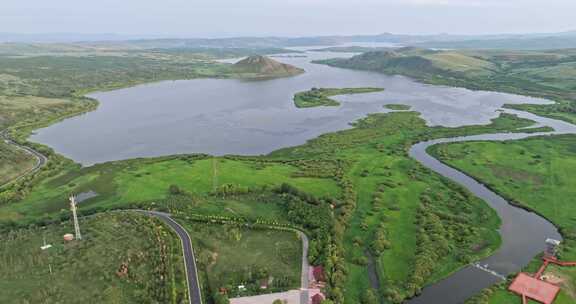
[(219, 117)]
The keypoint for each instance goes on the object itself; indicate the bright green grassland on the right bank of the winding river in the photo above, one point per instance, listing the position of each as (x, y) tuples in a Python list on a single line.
[(536, 173)]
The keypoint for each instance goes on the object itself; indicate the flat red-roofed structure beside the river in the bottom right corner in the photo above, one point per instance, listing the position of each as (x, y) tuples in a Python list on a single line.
[(534, 289)]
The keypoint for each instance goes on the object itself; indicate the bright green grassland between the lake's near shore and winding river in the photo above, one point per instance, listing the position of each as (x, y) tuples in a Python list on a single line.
[(382, 200)]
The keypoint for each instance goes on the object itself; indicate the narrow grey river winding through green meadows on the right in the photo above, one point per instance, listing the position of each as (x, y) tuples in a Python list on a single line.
[(523, 232)]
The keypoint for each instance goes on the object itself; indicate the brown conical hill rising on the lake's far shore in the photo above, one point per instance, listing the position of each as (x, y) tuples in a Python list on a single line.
[(262, 66)]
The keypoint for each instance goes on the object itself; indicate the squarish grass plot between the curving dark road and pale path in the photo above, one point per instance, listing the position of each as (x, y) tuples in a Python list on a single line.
[(229, 256)]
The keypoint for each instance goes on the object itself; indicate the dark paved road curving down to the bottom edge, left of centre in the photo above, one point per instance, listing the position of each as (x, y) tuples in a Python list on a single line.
[(194, 293)]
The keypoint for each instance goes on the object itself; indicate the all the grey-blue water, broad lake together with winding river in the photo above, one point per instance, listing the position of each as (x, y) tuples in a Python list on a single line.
[(256, 117)]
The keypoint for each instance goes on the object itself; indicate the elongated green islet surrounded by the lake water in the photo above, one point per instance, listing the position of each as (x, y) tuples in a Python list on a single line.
[(317, 97)]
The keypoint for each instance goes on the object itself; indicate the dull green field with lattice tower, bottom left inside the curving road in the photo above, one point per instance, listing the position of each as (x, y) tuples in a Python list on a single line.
[(86, 270)]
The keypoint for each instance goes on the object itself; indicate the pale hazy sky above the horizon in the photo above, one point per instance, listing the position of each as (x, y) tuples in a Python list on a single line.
[(286, 17)]
